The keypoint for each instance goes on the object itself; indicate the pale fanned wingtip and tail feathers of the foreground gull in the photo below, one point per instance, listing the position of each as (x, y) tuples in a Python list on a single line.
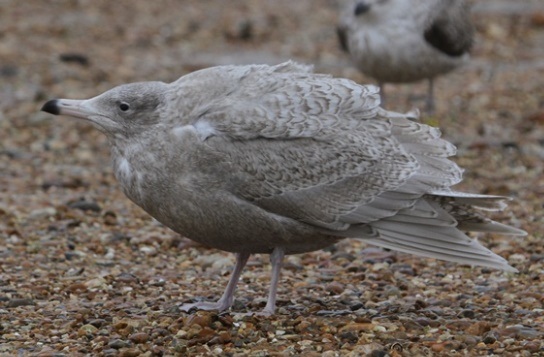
[(433, 228)]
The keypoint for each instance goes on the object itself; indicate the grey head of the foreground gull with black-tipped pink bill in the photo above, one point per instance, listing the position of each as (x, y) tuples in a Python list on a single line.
[(122, 111)]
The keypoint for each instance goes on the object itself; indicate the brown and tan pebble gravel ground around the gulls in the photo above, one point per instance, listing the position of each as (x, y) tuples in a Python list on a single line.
[(86, 272)]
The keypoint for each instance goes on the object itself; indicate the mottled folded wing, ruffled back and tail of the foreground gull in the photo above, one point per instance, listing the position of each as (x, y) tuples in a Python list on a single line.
[(321, 151)]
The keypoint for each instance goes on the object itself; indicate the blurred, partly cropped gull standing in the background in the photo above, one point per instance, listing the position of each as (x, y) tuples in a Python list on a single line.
[(399, 41)]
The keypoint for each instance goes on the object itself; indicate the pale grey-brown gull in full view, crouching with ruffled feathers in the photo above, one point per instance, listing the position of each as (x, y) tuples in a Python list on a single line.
[(279, 160)]
